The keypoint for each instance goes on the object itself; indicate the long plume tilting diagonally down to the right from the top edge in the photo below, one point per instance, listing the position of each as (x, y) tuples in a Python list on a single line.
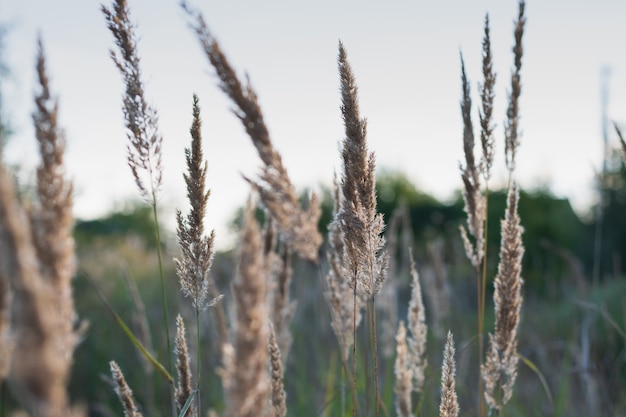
[(274, 186)]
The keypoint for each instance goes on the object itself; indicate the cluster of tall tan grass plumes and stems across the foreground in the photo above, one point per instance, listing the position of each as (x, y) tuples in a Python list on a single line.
[(405, 365)]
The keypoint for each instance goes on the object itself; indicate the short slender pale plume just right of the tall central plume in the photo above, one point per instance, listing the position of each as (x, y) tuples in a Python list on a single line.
[(419, 330)]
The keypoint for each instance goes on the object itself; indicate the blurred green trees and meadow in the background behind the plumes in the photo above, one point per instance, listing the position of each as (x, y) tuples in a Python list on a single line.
[(572, 328)]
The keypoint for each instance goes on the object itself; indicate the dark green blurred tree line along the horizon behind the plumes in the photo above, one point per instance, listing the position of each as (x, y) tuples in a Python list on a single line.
[(559, 245)]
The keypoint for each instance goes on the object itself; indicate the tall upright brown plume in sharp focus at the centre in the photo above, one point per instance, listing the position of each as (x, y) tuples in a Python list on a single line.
[(362, 227)]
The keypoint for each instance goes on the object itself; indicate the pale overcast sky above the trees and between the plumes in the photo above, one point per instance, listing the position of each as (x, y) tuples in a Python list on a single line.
[(406, 58)]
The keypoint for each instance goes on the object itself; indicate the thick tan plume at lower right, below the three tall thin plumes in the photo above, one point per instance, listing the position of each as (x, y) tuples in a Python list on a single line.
[(500, 368)]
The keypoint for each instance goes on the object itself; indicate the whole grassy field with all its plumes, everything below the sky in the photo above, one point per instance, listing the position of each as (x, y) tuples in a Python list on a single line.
[(326, 307)]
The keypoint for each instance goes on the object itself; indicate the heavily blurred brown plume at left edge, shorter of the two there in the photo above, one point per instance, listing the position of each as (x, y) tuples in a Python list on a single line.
[(38, 373)]
